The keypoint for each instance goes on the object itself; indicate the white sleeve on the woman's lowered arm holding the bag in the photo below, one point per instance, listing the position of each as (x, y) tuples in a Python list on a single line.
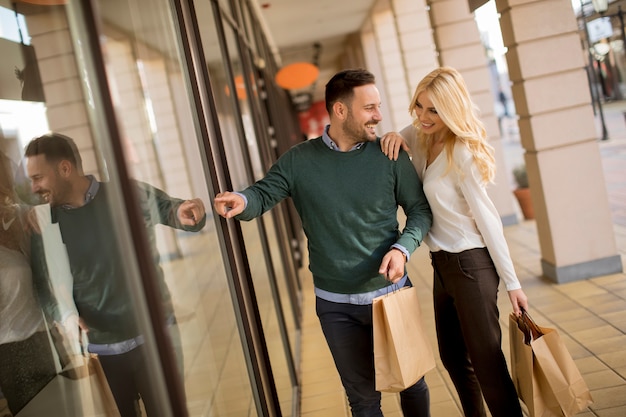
[(488, 223)]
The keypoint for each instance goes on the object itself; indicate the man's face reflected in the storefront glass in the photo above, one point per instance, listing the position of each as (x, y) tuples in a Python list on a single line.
[(47, 180)]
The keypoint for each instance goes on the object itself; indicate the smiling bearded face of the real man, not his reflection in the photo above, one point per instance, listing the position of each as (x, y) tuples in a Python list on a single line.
[(363, 114)]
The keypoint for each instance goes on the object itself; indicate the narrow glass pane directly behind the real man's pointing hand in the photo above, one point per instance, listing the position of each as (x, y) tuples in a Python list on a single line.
[(235, 101)]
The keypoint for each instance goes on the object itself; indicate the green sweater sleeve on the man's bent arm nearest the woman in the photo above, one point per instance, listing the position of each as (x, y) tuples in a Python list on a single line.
[(410, 196)]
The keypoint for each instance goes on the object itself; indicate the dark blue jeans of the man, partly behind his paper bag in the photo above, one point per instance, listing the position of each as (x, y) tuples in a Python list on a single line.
[(349, 334)]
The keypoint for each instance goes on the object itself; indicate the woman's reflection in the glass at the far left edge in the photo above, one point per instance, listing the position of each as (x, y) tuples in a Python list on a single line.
[(26, 361)]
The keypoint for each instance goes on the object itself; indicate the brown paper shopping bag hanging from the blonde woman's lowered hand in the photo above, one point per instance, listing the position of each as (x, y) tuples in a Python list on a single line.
[(544, 373)]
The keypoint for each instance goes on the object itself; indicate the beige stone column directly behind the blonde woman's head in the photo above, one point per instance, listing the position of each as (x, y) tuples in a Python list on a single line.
[(459, 45)]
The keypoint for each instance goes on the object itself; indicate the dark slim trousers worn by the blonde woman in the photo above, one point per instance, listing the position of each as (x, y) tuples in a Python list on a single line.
[(465, 291)]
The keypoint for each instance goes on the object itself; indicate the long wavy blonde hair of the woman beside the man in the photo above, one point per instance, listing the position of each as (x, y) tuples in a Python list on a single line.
[(448, 93)]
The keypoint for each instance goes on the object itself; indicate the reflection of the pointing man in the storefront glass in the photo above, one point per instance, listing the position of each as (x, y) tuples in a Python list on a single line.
[(81, 207)]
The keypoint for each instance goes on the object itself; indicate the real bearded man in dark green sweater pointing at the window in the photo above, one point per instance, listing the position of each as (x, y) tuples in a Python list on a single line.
[(347, 194)]
